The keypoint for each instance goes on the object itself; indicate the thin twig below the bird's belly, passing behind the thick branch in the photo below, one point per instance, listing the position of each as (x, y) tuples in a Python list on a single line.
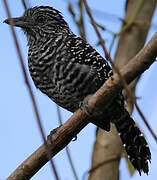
[(67, 148)]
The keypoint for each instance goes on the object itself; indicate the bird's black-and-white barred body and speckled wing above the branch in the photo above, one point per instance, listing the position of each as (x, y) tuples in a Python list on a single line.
[(68, 70)]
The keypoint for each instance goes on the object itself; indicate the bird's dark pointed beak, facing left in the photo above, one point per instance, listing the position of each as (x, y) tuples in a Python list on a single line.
[(18, 22)]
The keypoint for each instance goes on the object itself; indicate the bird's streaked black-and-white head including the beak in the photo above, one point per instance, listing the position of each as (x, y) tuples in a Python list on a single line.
[(40, 21)]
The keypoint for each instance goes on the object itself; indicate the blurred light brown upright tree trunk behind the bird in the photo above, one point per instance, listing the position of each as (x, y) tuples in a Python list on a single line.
[(132, 38)]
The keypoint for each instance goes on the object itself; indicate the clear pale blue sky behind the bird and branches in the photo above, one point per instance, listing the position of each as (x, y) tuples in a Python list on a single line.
[(19, 134)]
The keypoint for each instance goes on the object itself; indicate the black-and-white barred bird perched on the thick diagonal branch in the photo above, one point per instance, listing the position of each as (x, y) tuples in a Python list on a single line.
[(68, 69)]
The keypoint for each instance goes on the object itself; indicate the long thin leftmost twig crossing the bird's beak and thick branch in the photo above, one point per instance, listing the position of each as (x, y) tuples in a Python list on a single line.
[(28, 85)]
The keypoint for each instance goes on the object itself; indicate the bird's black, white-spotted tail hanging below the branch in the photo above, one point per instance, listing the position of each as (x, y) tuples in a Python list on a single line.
[(134, 142)]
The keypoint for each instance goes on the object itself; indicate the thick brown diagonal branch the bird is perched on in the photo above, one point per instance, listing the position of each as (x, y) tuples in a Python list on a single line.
[(79, 119)]
